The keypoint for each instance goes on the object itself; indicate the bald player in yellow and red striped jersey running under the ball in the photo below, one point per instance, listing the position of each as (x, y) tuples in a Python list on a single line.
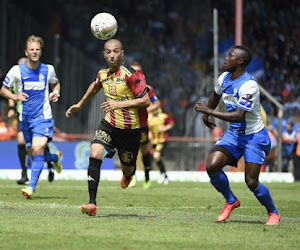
[(127, 98)]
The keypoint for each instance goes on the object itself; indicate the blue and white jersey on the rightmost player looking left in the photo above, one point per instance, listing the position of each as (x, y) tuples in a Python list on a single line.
[(242, 92)]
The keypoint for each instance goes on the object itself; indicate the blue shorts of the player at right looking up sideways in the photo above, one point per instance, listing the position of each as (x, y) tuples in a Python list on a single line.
[(254, 147)]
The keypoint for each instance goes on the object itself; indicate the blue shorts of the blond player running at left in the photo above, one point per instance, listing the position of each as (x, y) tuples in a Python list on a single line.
[(37, 128)]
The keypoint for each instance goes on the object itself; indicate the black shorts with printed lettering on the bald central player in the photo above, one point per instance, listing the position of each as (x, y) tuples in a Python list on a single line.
[(126, 141)]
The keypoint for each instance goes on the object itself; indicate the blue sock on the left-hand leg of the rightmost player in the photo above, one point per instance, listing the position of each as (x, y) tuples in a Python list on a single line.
[(221, 183)]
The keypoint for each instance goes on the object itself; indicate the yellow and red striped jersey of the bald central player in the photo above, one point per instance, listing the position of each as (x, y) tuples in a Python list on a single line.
[(124, 84)]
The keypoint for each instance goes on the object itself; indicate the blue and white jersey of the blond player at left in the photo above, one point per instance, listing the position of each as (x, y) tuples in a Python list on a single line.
[(35, 83)]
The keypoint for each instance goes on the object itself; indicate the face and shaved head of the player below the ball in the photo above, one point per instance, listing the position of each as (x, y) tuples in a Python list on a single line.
[(113, 54)]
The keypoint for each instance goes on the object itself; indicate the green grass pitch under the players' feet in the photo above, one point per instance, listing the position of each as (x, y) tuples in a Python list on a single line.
[(181, 215)]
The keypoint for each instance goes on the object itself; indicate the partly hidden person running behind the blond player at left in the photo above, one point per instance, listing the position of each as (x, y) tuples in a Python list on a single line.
[(14, 110)]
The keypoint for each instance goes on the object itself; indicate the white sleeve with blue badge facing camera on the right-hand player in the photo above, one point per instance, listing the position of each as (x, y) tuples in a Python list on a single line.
[(248, 95)]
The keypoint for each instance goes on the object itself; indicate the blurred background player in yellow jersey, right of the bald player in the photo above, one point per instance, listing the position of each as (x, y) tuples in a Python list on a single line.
[(159, 125)]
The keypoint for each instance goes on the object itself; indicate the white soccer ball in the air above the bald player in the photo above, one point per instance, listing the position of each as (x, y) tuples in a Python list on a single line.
[(104, 26)]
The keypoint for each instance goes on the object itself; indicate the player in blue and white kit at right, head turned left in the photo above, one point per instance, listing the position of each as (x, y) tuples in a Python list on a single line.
[(246, 136)]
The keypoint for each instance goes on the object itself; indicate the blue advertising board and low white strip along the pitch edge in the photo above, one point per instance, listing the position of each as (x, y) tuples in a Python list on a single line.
[(75, 161)]
